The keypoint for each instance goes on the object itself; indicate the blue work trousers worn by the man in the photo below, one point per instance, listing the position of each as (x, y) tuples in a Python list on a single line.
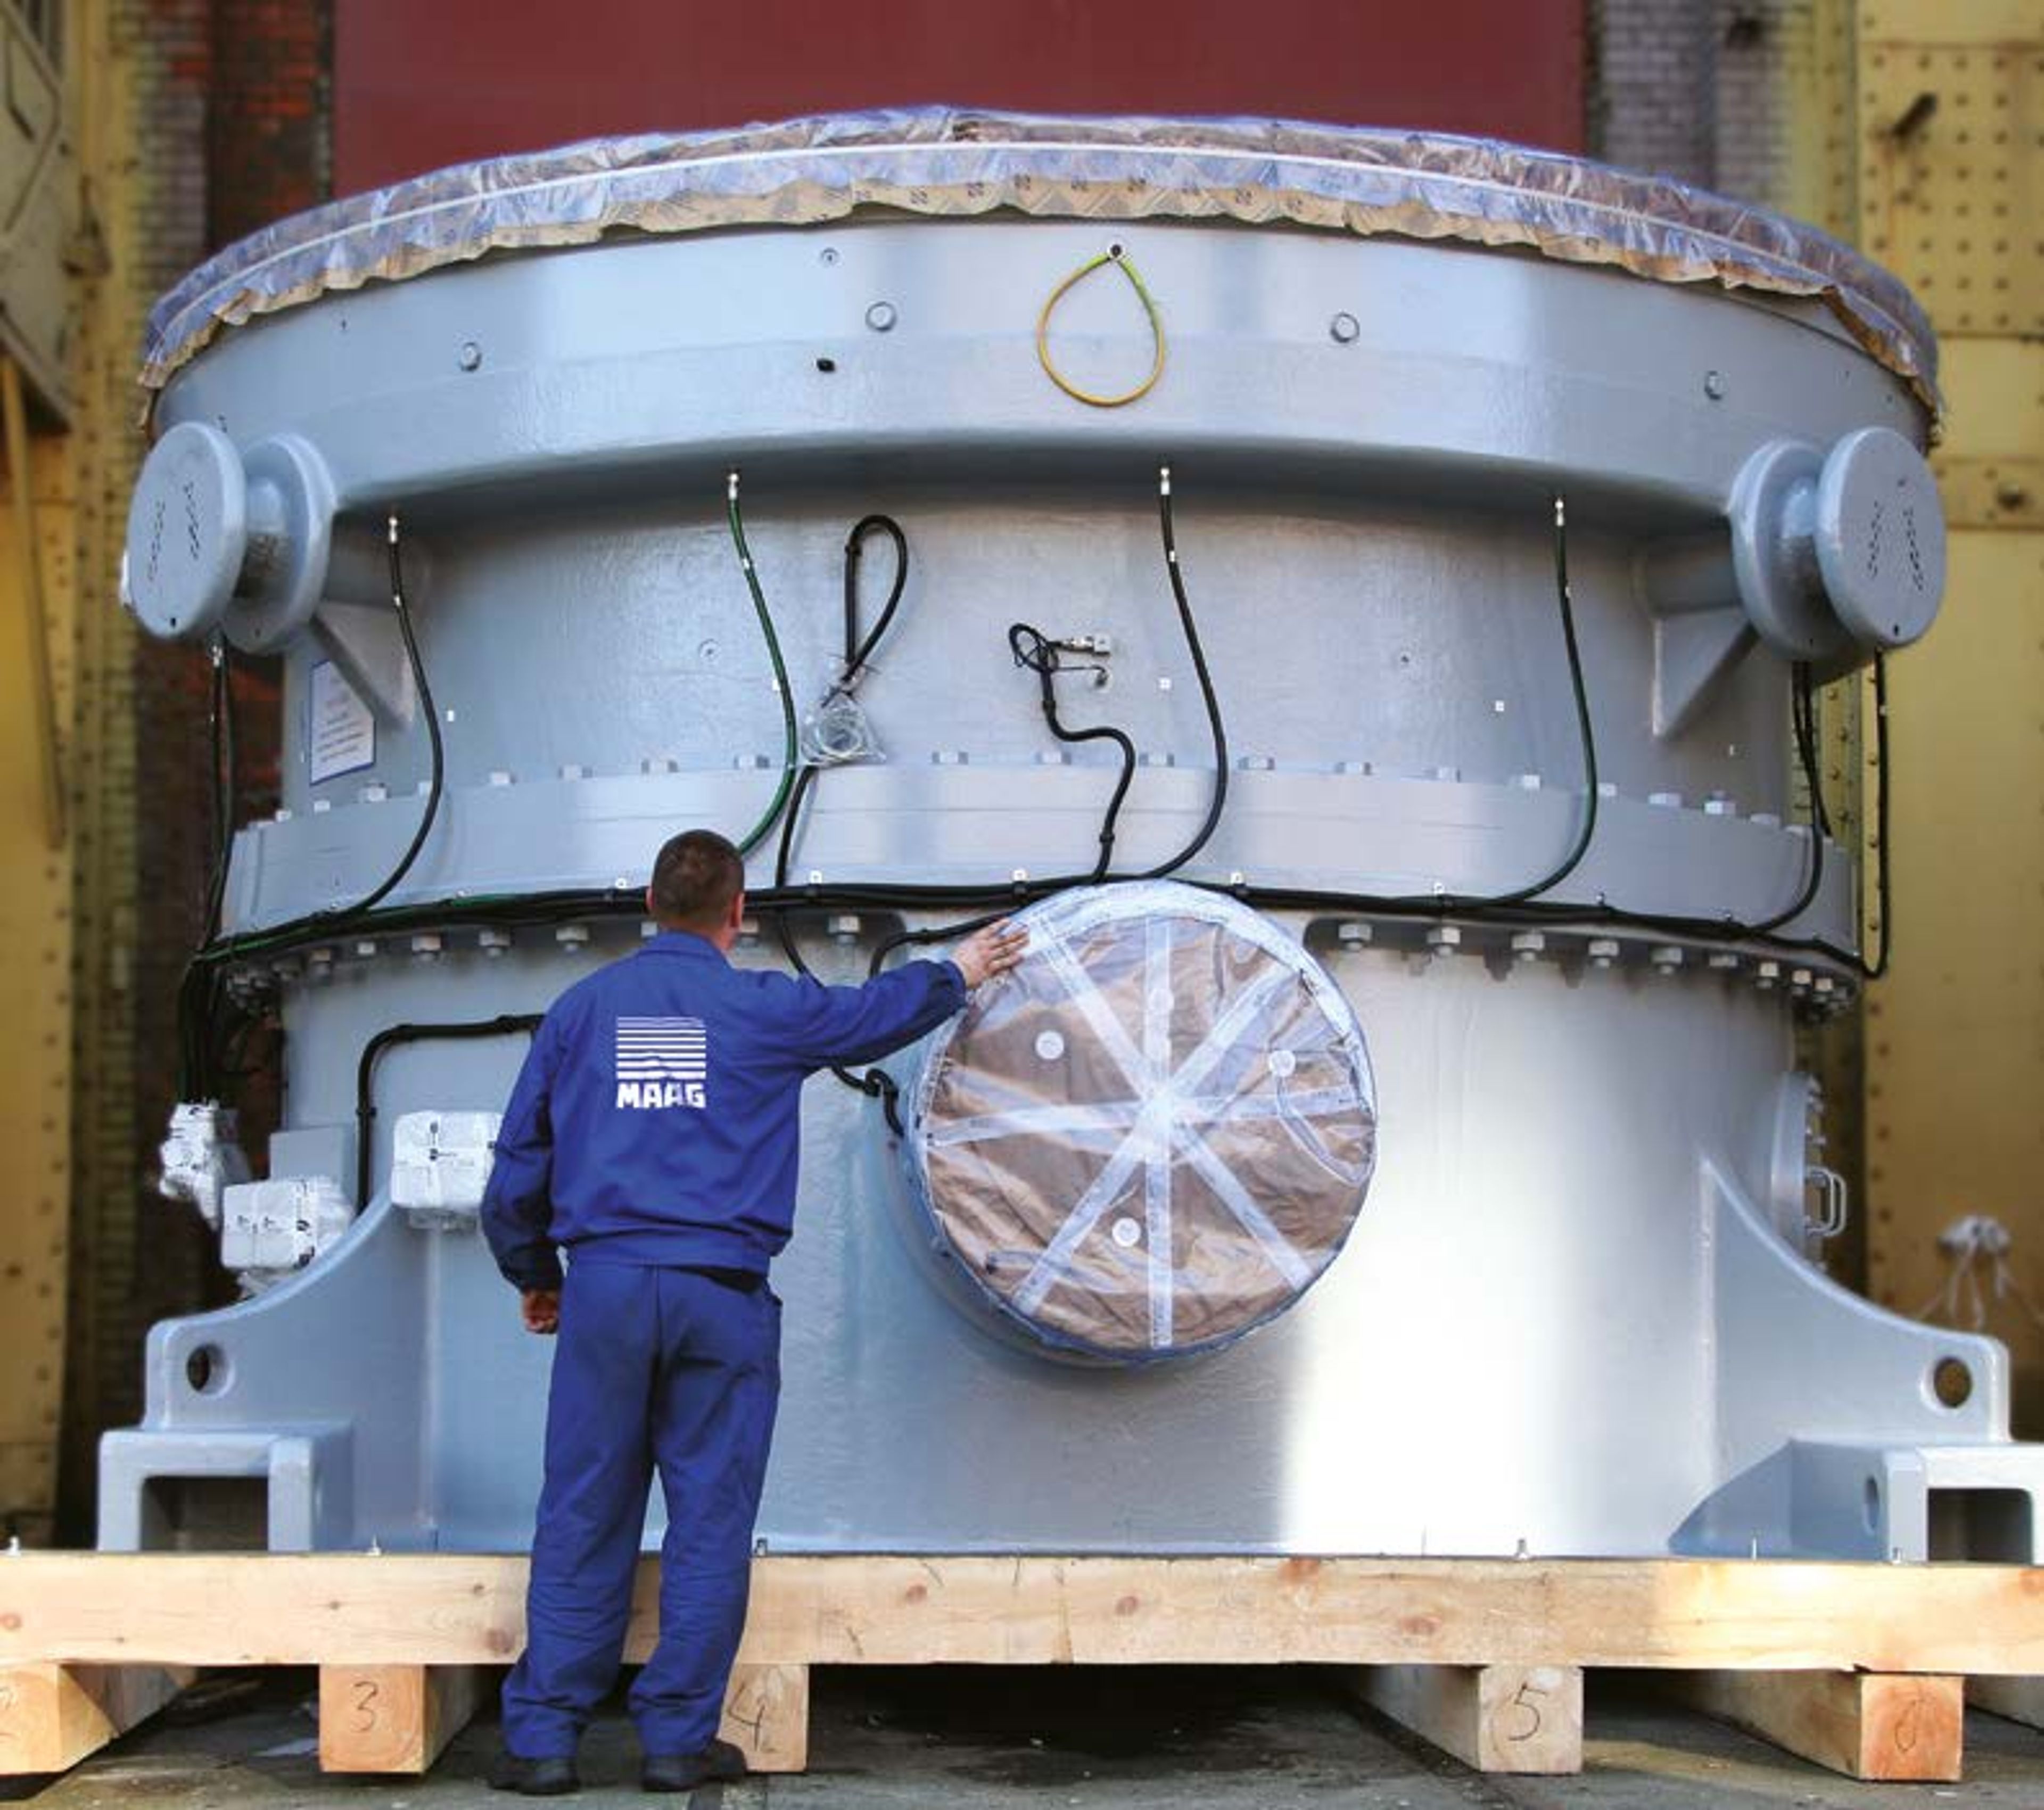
[(655, 1367)]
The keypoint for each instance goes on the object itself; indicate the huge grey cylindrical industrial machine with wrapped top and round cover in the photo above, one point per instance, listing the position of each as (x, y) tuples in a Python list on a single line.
[(1409, 559)]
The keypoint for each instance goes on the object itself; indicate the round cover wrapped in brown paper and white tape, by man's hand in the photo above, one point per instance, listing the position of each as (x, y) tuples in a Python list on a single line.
[(1156, 1134)]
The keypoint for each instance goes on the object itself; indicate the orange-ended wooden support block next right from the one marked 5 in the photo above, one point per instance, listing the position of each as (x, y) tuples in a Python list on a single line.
[(1863, 1725)]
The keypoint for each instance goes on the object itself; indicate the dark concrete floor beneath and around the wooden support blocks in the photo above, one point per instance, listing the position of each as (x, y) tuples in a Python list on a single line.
[(1103, 1739)]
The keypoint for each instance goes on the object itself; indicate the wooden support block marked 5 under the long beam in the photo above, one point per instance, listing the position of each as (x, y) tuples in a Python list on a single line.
[(1499, 1719)]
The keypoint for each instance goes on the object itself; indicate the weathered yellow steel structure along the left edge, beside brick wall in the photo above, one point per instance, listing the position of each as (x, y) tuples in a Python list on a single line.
[(68, 326)]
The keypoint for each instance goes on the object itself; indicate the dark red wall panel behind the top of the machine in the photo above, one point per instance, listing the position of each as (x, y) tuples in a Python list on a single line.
[(428, 83)]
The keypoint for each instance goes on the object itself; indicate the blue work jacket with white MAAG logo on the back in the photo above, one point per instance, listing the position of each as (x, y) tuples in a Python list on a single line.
[(657, 1116)]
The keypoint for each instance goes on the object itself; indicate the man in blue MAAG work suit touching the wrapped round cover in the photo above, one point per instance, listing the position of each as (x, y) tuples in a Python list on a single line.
[(653, 1136)]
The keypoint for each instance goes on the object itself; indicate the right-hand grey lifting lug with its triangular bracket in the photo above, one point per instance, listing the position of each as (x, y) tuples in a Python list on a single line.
[(1830, 559)]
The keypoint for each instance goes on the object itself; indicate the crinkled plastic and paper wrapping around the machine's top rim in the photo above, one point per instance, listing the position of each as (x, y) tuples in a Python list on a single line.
[(949, 163)]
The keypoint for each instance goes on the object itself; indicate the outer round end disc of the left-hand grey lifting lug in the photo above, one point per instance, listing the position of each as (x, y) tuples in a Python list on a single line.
[(187, 533)]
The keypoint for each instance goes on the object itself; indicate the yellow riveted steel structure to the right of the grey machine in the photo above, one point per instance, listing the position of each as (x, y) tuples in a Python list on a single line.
[(1949, 185)]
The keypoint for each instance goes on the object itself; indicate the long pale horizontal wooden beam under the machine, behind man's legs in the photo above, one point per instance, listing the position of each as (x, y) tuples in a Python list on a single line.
[(1033, 1611)]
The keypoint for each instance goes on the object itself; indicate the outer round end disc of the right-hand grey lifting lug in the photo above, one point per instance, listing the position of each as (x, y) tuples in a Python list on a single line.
[(1882, 537)]
